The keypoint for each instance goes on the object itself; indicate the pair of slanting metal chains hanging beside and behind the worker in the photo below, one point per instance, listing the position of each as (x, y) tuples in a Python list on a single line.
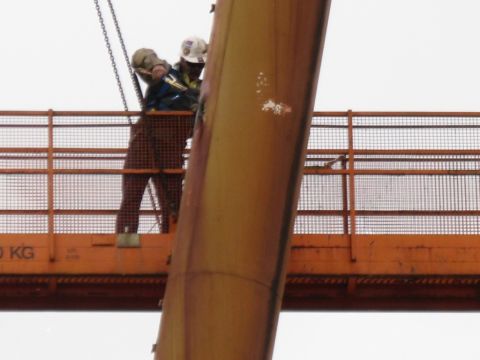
[(119, 83)]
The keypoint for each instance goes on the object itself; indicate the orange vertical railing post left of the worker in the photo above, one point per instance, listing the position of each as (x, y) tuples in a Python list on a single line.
[(50, 190)]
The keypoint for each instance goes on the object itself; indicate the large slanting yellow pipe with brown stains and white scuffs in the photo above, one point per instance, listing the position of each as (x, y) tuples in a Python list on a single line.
[(226, 280)]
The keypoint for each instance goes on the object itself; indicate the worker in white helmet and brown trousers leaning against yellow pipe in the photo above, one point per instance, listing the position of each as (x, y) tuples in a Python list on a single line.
[(159, 143)]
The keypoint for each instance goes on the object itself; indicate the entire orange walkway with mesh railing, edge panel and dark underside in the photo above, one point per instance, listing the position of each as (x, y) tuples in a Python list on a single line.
[(408, 255)]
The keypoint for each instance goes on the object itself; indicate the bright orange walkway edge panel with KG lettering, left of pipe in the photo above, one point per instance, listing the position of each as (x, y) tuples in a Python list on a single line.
[(83, 254)]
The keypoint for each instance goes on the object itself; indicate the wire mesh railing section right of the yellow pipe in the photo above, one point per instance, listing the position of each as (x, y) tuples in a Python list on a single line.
[(410, 173)]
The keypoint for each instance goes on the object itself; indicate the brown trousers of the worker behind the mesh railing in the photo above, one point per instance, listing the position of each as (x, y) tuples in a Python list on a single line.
[(156, 143)]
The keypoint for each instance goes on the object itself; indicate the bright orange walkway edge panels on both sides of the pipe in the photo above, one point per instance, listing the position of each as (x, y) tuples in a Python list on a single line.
[(313, 255)]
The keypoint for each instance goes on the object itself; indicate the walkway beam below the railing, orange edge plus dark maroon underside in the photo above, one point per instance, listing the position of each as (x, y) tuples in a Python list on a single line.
[(392, 272)]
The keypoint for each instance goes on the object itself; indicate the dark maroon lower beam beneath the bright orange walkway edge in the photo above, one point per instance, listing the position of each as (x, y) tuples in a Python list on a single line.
[(141, 293)]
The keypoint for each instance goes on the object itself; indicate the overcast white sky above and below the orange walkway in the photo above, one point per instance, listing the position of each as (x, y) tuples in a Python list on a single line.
[(379, 55)]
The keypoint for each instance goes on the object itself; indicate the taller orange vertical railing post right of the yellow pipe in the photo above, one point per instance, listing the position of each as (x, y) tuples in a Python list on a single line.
[(351, 175)]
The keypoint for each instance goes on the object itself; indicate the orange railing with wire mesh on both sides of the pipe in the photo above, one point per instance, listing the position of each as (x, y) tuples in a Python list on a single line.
[(365, 173)]
